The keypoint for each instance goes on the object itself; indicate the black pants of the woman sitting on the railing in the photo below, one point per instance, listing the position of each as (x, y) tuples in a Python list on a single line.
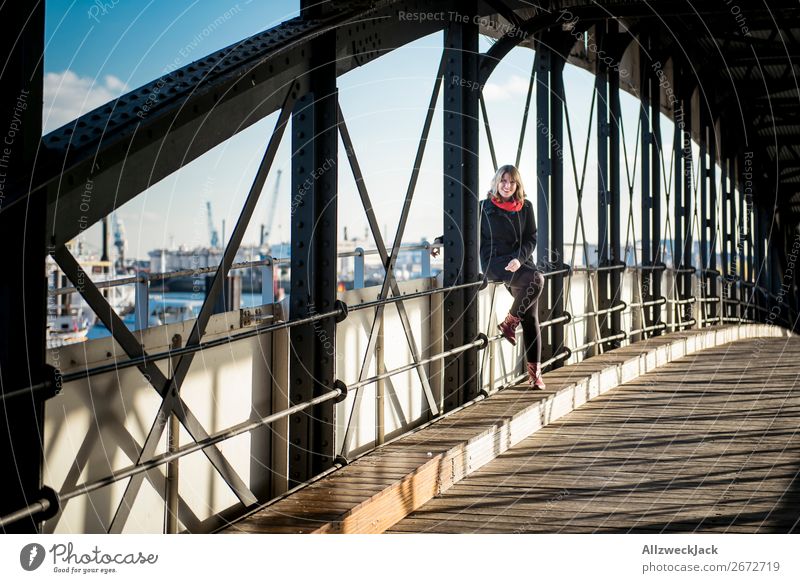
[(526, 285)]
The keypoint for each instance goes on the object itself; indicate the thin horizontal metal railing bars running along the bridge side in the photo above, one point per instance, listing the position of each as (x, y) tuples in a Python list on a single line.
[(339, 390)]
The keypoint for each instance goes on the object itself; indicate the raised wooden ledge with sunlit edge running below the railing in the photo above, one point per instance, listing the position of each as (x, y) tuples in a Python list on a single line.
[(374, 492)]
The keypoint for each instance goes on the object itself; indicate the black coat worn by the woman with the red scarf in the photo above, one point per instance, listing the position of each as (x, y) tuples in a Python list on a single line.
[(506, 235)]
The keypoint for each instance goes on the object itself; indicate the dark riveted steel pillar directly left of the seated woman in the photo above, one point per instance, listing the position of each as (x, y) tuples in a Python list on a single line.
[(461, 191)]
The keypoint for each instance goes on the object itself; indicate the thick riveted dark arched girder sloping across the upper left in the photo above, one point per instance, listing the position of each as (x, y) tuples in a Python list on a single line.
[(129, 144)]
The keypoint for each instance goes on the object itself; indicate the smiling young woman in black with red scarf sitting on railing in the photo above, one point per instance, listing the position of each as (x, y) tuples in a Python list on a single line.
[(508, 238)]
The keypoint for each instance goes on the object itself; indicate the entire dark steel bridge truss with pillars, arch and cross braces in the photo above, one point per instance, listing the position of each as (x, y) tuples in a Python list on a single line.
[(726, 78)]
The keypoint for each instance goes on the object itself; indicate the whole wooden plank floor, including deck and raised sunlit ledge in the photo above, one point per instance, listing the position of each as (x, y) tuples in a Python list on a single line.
[(661, 426)]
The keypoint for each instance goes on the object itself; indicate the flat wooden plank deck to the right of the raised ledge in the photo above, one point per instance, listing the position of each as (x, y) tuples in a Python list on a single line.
[(708, 443)]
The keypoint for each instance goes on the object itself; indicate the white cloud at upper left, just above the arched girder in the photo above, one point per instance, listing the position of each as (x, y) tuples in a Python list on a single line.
[(67, 96)]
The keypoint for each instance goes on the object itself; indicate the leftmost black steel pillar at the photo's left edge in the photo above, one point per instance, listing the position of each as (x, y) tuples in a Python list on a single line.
[(23, 286)]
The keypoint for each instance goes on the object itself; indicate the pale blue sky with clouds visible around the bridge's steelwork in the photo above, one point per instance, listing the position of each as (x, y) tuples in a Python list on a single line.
[(96, 51)]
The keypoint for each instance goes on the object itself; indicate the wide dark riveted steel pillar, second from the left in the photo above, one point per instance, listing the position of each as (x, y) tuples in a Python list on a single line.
[(313, 260)]
